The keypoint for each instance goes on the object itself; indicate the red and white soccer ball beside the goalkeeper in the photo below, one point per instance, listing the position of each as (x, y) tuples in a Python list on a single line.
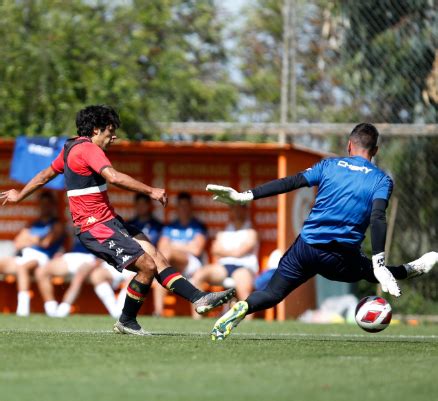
[(373, 314)]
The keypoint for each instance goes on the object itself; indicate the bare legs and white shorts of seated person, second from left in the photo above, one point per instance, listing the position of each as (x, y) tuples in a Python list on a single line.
[(77, 263)]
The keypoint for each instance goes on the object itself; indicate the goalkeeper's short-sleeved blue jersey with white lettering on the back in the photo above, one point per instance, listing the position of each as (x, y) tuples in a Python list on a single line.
[(347, 188)]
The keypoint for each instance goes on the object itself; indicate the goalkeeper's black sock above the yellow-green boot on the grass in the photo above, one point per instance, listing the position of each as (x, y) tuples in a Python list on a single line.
[(277, 289)]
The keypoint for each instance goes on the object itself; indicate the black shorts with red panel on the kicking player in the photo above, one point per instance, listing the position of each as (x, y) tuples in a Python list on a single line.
[(112, 241)]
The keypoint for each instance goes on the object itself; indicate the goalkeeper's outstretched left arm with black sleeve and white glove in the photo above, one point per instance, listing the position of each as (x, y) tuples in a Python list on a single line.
[(271, 188)]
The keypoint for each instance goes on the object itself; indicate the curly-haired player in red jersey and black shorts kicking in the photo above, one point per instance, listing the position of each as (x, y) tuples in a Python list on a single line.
[(87, 170)]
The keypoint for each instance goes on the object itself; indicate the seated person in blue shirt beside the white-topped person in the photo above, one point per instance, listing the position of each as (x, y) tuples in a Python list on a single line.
[(182, 243)]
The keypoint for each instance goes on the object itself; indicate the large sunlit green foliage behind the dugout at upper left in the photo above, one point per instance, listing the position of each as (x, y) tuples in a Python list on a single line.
[(154, 61)]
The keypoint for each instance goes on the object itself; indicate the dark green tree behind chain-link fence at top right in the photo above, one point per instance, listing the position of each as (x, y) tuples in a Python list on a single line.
[(388, 55)]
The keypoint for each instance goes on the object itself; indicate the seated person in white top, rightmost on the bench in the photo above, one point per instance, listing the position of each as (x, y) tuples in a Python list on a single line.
[(235, 255)]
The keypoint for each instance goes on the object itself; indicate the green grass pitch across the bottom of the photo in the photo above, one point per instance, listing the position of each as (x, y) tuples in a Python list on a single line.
[(79, 358)]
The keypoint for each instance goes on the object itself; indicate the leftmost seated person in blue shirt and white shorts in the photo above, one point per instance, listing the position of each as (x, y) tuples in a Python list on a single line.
[(36, 244)]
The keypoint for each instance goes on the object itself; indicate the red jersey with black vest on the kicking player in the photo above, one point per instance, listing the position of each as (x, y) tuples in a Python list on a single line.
[(82, 161)]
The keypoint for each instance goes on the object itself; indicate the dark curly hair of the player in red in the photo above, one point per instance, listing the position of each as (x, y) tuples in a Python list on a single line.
[(98, 116)]
